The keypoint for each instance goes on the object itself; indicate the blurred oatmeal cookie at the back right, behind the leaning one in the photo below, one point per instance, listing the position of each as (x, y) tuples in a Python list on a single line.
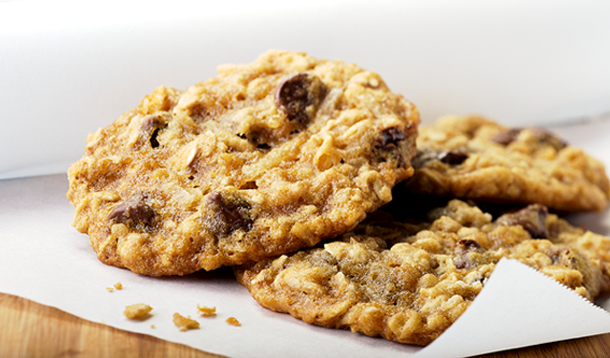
[(475, 158)]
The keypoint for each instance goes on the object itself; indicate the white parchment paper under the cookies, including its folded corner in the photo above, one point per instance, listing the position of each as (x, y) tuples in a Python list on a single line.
[(44, 259)]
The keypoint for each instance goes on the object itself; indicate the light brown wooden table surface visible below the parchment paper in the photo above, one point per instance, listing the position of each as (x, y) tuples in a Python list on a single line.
[(29, 329)]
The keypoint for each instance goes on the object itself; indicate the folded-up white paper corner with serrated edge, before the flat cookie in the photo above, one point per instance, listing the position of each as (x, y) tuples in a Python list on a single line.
[(503, 282)]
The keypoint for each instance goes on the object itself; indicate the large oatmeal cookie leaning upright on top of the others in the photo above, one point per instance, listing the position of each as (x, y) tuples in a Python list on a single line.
[(264, 159)]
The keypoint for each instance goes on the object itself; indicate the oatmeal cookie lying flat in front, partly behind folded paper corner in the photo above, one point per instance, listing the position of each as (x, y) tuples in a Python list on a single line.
[(408, 282)]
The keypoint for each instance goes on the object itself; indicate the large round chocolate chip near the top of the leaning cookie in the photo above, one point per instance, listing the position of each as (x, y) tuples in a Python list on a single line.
[(299, 96)]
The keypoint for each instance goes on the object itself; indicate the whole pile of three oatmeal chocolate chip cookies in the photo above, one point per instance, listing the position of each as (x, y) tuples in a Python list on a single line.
[(273, 167)]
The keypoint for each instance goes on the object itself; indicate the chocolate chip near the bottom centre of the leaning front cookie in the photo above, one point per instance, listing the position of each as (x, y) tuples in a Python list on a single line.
[(231, 213)]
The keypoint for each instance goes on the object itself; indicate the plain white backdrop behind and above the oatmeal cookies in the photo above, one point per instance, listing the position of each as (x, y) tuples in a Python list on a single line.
[(67, 68)]
